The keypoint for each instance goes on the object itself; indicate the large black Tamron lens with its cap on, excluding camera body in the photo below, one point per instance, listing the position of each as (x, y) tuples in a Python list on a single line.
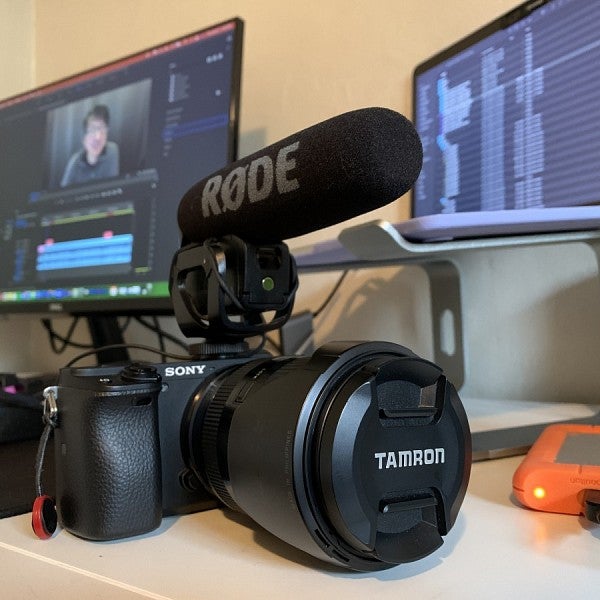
[(359, 455)]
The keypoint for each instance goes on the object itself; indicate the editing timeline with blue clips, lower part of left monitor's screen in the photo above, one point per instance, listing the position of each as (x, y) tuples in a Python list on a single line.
[(83, 236)]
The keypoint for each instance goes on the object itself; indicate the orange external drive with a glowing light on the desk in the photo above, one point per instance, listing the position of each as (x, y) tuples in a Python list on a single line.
[(560, 470)]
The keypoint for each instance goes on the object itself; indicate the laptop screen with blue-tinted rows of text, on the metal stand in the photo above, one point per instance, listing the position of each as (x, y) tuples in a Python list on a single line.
[(510, 120)]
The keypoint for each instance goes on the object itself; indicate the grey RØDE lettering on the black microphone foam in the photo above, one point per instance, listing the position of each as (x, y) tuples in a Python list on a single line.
[(254, 181)]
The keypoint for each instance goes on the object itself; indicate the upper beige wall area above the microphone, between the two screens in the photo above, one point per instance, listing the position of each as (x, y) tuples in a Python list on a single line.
[(304, 61)]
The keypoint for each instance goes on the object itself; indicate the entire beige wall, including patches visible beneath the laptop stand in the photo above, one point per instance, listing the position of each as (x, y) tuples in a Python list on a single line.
[(531, 316)]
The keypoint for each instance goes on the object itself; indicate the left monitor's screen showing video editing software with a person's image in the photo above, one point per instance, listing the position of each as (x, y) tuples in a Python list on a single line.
[(92, 169)]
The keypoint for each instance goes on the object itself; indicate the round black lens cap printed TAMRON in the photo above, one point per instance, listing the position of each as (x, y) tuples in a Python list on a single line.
[(393, 459)]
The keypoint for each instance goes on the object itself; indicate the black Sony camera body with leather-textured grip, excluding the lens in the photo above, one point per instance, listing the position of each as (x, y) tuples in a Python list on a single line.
[(119, 463)]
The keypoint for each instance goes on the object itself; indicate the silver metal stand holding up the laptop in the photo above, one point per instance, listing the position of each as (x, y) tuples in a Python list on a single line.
[(378, 243)]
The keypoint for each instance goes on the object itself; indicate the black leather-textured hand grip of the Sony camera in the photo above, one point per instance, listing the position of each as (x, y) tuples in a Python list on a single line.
[(108, 463)]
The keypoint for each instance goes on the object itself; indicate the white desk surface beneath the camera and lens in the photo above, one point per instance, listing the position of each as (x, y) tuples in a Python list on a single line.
[(496, 550)]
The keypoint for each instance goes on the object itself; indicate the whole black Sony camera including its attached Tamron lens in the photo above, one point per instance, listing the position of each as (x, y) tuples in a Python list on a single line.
[(358, 454)]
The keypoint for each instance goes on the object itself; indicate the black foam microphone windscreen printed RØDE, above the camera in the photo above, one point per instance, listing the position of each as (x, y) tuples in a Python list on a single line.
[(328, 173)]
